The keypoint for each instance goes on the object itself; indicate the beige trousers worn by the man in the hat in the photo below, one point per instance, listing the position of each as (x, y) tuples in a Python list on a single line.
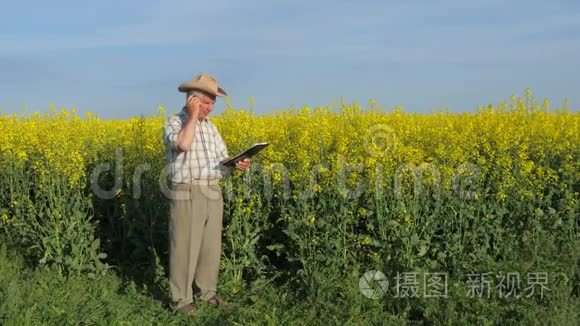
[(195, 234)]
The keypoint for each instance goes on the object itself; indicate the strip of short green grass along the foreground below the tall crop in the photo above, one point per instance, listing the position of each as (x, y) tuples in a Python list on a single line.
[(36, 296)]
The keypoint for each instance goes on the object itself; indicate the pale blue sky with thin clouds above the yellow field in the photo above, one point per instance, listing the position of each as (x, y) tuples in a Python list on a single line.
[(124, 58)]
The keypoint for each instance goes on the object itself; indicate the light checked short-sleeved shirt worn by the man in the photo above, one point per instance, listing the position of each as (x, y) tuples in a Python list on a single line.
[(202, 159)]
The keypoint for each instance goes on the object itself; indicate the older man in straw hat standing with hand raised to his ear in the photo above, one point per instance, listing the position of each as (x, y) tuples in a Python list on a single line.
[(194, 149)]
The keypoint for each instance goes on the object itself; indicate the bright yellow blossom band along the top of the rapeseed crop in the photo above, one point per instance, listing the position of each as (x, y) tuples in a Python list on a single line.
[(495, 140)]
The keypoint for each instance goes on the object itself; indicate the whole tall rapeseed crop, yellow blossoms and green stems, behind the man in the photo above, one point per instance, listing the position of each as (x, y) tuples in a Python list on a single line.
[(339, 191)]
